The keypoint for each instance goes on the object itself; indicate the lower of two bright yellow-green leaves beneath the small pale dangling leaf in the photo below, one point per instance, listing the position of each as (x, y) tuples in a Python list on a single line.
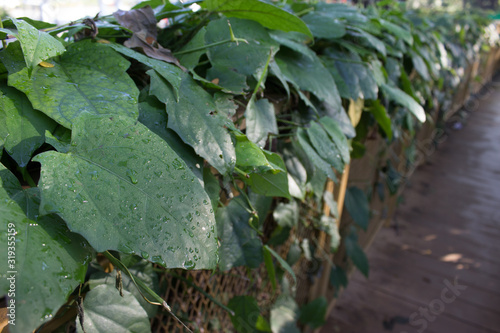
[(271, 183)]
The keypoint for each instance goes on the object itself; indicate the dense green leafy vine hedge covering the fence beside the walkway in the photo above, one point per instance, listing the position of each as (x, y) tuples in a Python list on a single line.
[(172, 146)]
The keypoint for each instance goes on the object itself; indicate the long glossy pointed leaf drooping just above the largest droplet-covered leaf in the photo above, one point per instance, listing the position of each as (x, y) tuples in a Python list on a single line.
[(196, 120)]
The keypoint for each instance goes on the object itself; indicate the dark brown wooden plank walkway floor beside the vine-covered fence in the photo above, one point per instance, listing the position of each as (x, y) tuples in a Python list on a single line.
[(440, 270)]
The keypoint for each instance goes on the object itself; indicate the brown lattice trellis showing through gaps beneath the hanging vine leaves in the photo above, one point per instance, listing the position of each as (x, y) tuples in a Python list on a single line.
[(201, 314)]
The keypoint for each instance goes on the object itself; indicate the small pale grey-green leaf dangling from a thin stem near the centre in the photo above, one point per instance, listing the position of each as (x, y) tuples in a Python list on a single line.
[(260, 121)]
